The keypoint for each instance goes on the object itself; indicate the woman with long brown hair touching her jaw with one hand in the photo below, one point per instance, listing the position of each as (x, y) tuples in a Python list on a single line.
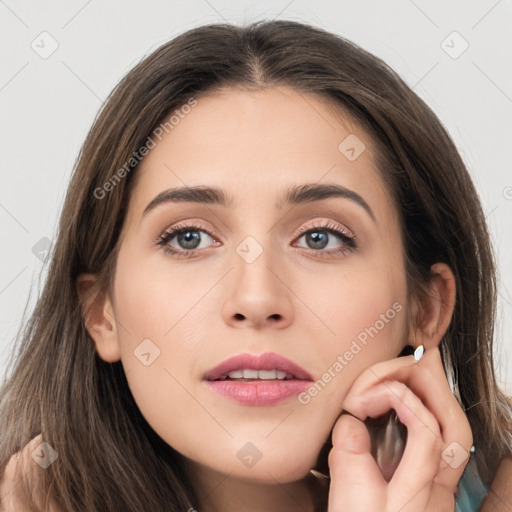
[(262, 223)]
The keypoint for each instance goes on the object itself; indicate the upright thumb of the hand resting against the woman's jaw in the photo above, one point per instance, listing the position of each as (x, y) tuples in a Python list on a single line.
[(356, 481)]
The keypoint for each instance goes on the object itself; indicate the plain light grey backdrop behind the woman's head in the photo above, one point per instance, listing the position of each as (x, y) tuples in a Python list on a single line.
[(60, 60)]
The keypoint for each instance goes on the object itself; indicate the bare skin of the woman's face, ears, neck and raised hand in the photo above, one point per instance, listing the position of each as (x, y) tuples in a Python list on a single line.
[(202, 309)]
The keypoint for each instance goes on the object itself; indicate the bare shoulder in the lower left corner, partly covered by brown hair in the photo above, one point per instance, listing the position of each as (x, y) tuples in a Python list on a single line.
[(20, 466)]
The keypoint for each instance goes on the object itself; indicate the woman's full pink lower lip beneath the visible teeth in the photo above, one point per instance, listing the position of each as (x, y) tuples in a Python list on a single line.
[(258, 392)]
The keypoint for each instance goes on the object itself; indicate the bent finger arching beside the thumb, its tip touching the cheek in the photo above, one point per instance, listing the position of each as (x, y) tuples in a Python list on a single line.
[(410, 486)]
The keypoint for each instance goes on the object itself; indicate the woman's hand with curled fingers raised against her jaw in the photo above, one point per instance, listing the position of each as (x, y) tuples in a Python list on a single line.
[(423, 482)]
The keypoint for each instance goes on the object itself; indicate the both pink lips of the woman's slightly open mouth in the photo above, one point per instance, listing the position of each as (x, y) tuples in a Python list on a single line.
[(258, 392)]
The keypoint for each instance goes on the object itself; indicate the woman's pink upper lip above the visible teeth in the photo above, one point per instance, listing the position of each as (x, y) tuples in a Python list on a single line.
[(266, 361)]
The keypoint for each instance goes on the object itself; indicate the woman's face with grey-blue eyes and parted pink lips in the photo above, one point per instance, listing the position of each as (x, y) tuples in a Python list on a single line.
[(266, 275)]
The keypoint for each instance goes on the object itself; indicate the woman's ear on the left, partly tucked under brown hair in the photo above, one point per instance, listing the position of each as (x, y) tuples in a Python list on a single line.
[(99, 318)]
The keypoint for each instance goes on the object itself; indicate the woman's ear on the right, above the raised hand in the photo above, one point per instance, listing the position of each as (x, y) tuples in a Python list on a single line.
[(434, 314)]
